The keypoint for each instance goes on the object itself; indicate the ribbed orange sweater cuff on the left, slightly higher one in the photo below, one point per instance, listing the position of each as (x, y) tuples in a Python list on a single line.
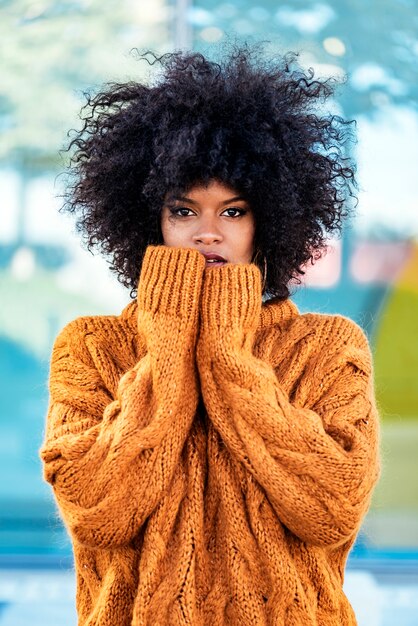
[(171, 281)]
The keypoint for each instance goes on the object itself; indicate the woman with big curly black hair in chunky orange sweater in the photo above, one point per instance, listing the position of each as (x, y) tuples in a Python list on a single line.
[(212, 455)]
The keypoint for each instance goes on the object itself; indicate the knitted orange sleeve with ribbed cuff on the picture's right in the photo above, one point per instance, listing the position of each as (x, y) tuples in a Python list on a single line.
[(316, 467)]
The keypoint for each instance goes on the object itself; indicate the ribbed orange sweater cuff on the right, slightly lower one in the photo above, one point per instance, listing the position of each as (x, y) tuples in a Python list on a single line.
[(231, 297)]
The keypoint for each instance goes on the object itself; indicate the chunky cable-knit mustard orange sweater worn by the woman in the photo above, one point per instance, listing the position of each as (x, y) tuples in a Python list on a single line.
[(212, 456)]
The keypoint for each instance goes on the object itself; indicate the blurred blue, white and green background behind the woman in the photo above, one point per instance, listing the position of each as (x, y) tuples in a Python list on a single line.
[(53, 51)]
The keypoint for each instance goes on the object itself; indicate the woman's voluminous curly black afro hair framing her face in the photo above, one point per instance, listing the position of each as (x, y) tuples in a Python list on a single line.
[(256, 124)]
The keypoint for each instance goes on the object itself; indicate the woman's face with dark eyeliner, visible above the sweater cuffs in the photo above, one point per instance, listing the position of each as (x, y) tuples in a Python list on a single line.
[(213, 219)]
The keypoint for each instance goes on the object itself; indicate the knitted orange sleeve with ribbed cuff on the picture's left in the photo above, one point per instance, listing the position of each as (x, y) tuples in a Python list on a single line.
[(109, 460)]
